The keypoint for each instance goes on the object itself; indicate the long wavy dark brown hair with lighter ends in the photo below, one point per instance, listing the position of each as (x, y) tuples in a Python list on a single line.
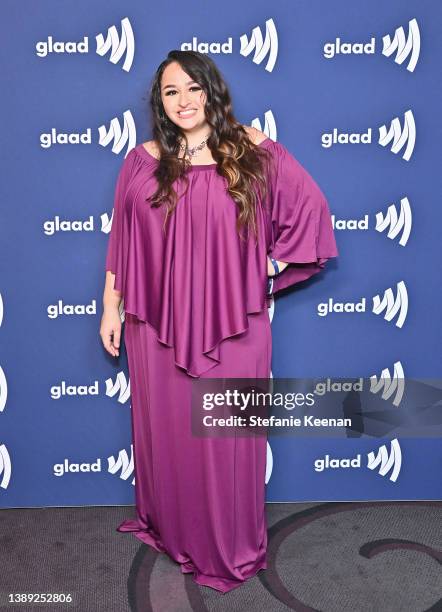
[(238, 159)]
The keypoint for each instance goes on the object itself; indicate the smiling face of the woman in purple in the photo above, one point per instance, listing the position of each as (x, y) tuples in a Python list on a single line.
[(183, 99)]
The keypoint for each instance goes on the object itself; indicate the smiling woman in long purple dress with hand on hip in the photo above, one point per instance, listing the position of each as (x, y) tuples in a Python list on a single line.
[(200, 212)]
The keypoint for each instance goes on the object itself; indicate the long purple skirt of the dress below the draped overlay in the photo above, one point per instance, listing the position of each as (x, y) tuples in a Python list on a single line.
[(201, 500)]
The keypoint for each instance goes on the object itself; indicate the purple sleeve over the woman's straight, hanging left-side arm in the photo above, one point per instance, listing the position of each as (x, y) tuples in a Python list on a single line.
[(118, 243)]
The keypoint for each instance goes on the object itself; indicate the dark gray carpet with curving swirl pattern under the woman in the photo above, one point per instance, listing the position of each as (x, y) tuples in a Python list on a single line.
[(332, 557)]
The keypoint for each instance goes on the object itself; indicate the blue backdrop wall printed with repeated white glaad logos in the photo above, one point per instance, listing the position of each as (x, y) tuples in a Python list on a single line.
[(352, 89)]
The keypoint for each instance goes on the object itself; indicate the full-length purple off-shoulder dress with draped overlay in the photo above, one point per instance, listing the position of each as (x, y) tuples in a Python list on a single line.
[(195, 306)]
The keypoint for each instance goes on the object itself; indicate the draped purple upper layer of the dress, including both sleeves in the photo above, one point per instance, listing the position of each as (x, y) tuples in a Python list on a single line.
[(188, 283)]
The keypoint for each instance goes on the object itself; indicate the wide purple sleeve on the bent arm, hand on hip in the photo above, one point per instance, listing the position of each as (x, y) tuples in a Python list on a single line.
[(301, 228)]
